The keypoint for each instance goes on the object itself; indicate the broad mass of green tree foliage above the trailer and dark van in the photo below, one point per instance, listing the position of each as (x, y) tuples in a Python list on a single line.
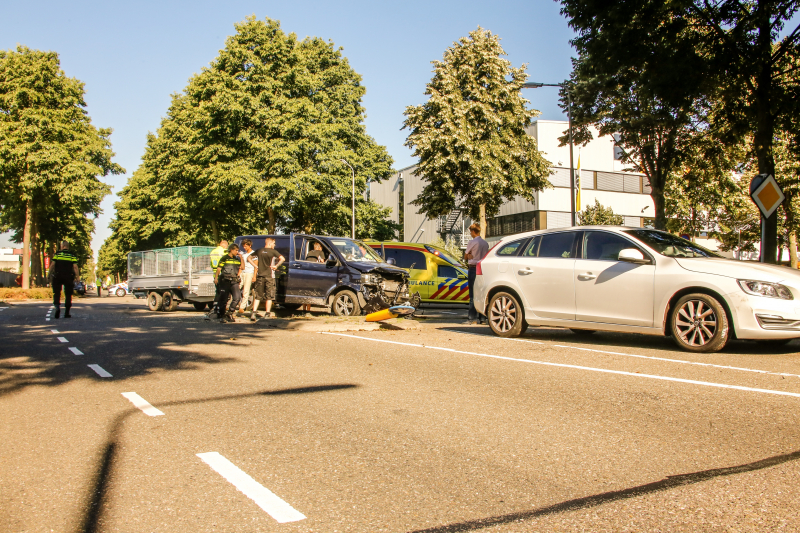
[(254, 144)]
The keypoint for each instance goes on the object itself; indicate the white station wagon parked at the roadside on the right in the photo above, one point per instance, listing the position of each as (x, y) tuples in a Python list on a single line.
[(611, 278)]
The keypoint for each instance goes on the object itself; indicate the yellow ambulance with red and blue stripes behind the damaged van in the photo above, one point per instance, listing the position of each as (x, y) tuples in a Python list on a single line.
[(434, 273)]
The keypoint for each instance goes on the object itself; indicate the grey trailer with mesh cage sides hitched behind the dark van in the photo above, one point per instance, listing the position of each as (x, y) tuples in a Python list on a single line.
[(169, 276)]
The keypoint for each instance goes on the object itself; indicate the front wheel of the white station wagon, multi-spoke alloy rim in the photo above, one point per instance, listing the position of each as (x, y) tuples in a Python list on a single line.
[(699, 324)]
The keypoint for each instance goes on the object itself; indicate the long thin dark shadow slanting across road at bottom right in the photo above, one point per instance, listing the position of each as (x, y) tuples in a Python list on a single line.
[(595, 500)]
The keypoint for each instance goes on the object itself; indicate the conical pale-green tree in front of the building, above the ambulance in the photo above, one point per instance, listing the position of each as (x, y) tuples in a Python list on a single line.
[(470, 135)]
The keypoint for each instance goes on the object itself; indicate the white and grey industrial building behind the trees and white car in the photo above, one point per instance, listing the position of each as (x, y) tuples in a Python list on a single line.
[(602, 178)]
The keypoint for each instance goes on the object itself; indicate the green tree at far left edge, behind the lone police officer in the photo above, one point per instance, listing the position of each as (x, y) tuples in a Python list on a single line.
[(50, 157)]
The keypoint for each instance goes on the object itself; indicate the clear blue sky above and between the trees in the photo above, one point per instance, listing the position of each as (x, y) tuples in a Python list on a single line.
[(133, 55)]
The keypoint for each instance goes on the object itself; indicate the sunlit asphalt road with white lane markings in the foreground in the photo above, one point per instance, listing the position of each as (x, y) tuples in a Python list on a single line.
[(443, 429)]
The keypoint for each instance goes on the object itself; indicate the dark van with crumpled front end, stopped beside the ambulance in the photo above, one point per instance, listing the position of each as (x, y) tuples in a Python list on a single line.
[(343, 274)]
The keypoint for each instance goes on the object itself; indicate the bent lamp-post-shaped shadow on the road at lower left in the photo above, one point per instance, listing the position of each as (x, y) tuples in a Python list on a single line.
[(97, 498)]
